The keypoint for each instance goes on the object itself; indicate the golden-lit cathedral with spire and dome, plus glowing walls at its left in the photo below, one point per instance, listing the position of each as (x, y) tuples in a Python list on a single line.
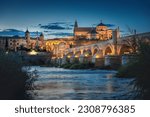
[(82, 36)]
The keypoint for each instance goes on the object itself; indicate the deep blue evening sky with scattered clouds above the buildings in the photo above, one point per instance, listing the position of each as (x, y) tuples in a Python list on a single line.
[(55, 18)]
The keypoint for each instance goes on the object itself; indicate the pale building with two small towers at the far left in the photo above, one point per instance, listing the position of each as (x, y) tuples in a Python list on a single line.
[(16, 42)]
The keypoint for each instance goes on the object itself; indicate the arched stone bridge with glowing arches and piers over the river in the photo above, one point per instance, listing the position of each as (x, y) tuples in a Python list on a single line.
[(116, 50)]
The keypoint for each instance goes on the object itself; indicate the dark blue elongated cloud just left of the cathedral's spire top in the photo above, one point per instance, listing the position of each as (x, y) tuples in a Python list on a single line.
[(57, 26)]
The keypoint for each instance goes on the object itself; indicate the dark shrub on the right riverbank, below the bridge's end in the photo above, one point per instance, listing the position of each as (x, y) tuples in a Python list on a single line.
[(140, 70)]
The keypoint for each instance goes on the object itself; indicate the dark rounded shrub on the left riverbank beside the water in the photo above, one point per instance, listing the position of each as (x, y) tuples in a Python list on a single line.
[(12, 78)]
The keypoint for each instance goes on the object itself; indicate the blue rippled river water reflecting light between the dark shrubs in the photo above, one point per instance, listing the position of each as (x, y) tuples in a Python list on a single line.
[(58, 84)]
